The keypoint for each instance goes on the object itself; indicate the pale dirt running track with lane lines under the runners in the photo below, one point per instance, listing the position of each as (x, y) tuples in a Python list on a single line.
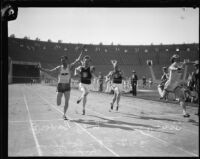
[(140, 127)]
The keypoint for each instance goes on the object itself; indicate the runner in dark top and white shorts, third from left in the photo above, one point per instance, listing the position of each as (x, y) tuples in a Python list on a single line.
[(116, 77)]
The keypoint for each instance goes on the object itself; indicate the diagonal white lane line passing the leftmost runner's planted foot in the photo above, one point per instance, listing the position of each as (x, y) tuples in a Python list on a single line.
[(96, 139)]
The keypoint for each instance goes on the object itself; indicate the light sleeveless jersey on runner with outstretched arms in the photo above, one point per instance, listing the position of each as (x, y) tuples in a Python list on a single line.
[(64, 75)]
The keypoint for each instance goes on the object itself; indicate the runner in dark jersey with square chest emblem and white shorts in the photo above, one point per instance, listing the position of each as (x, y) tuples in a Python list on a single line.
[(85, 72)]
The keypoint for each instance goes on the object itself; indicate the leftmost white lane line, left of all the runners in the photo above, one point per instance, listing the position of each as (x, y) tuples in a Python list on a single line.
[(31, 123)]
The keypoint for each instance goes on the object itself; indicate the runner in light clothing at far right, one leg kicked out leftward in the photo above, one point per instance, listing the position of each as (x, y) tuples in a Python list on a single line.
[(175, 84)]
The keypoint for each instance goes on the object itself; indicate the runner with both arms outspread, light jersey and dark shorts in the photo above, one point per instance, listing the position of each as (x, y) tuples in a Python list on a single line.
[(64, 80)]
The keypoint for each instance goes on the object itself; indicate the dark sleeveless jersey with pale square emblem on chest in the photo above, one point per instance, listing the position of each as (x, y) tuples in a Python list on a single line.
[(86, 75)]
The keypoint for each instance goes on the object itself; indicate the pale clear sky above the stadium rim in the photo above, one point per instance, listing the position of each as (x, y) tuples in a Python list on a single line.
[(125, 26)]
